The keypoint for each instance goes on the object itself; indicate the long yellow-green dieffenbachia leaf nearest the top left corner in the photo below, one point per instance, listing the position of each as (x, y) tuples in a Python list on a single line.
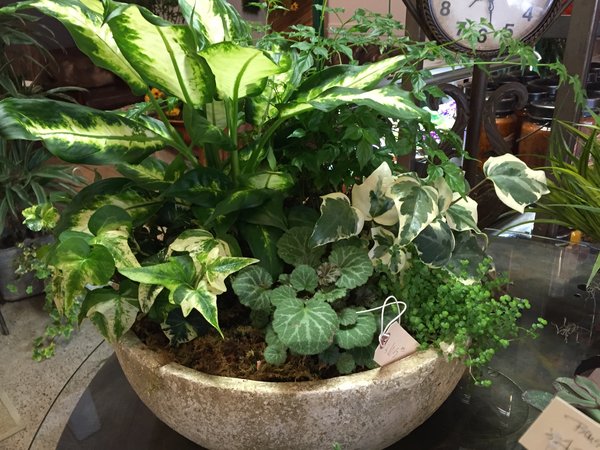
[(85, 22)]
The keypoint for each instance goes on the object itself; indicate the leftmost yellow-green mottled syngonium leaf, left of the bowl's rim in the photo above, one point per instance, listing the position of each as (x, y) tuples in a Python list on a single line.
[(80, 264)]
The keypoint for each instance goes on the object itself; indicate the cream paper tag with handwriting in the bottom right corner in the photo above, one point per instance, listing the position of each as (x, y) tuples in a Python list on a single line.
[(561, 426)]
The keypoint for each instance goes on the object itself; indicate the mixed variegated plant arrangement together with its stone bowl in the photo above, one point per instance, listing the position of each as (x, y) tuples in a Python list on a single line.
[(289, 245)]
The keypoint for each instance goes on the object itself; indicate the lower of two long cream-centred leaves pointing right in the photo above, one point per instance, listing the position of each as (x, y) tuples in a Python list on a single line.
[(391, 101)]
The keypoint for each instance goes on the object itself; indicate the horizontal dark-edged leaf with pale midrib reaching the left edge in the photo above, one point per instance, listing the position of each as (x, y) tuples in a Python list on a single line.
[(77, 133)]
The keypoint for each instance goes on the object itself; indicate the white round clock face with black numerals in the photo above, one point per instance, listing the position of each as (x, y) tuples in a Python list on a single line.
[(521, 17)]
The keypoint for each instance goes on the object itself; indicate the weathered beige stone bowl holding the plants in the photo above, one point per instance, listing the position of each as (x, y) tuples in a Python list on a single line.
[(367, 410)]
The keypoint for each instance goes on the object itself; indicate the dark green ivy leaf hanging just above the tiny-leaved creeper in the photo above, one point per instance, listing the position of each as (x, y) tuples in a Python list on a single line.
[(469, 253)]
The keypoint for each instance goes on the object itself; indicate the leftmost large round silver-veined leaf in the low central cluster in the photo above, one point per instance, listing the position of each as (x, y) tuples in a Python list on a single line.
[(252, 286)]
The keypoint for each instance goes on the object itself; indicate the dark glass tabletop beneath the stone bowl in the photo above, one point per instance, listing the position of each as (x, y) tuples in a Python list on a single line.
[(551, 274)]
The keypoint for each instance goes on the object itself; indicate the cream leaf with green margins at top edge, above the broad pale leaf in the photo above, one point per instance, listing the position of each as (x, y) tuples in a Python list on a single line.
[(215, 20)]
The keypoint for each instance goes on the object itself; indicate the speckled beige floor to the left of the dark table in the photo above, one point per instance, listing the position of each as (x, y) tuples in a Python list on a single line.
[(44, 393)]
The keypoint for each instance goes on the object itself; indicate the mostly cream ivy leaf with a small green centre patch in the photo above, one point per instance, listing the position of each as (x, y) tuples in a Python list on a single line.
[(369, 197)]
